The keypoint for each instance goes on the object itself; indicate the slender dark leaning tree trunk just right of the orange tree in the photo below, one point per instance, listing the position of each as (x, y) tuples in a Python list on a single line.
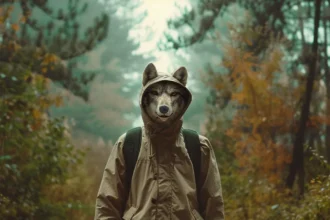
[(297, 164)]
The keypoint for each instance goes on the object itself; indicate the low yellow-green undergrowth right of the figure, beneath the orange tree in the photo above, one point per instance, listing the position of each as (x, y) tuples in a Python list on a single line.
[(247, 196)]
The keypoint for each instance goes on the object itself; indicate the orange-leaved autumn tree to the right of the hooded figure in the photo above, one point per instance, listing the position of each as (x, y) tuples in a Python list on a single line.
[(262, 106)]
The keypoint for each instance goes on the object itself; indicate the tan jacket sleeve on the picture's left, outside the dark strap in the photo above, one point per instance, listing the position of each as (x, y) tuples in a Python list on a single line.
[(110, 201)]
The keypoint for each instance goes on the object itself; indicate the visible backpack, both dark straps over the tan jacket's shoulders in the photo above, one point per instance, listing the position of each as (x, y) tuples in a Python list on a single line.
[(132, 146)]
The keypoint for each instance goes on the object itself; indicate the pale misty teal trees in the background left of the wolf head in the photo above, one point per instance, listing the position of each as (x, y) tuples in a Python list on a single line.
[(114, 91)]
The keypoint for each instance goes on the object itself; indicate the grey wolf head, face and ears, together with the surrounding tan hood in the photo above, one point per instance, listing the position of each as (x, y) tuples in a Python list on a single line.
[(164, 99)]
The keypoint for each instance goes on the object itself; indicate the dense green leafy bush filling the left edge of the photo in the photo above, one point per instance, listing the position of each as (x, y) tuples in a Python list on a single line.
[(35, 152)]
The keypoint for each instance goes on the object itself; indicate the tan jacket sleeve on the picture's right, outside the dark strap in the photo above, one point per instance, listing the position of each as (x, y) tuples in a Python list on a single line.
[(210, 194)]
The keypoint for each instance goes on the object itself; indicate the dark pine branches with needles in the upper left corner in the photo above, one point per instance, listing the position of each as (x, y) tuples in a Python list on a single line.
[(59, 33)]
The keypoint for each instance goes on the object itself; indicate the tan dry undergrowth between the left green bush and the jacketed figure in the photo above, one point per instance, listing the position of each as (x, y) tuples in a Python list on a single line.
[(78, 192)]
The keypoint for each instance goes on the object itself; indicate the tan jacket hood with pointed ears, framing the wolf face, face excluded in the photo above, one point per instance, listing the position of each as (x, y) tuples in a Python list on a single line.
[(151, 77)]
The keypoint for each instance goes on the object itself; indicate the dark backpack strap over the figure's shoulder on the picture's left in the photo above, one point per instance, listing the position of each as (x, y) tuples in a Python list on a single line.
[(131, 149)]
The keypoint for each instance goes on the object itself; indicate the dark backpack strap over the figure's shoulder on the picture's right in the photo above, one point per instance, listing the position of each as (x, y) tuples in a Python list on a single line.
[(192, 143)]
